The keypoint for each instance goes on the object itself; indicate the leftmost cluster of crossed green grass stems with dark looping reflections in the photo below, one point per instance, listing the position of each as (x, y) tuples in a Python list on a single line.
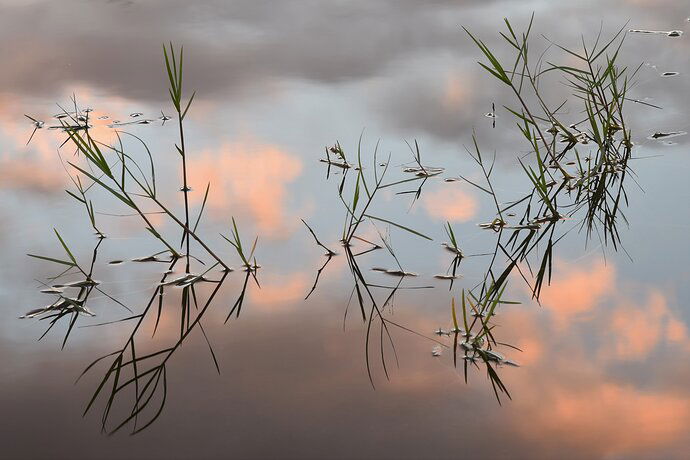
[(134, 386)]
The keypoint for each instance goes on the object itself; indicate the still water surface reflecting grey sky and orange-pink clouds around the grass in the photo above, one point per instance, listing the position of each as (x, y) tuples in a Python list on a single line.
[(602, 369)]
